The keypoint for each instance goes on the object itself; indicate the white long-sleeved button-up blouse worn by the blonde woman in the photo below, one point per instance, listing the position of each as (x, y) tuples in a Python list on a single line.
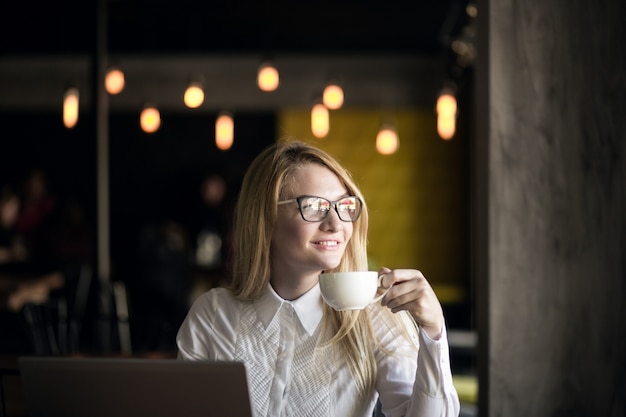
[(289, 375)]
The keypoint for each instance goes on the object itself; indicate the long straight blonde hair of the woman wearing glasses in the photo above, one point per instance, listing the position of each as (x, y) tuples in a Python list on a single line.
[(266, 182)]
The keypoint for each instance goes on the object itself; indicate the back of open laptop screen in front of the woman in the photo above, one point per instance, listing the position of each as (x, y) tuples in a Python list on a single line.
[(124, 387)]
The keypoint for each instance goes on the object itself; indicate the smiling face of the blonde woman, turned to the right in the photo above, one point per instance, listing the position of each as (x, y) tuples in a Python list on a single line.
[(300, 247)]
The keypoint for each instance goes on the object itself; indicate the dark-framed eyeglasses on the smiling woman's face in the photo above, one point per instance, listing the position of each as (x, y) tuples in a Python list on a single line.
[(315, 209)]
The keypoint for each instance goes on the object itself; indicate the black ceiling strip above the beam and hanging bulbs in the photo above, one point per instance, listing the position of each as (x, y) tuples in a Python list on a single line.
[(192, 26)]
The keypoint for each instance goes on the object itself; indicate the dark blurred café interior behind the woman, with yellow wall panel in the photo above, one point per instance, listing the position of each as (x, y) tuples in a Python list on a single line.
[(119, 229)]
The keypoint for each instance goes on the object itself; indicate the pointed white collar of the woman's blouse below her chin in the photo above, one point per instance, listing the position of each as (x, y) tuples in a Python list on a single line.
[(308, 307)]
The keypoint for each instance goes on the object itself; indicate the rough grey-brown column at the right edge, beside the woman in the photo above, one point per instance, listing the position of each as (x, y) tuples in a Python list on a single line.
[(550, 200)]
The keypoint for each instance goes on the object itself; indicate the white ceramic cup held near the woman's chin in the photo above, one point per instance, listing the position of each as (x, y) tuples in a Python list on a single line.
[(352, 290)]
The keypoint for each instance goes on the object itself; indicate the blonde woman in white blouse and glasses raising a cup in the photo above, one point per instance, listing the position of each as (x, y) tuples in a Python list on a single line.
[(302, 357)]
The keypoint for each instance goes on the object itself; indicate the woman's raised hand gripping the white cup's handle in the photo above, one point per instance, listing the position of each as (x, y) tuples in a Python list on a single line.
[(409, 290)]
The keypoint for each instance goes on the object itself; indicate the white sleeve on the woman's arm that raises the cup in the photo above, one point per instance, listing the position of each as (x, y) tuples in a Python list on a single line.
[(412, 382)]
